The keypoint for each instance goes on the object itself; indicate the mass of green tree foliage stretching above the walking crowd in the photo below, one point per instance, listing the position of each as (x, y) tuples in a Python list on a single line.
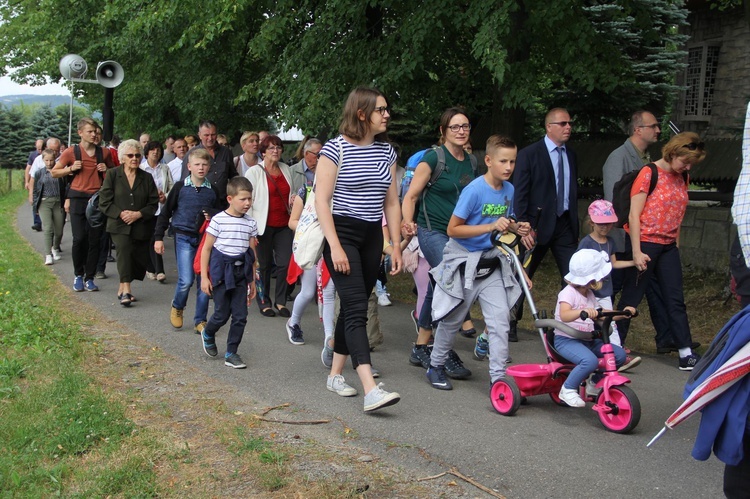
[(241, 62)]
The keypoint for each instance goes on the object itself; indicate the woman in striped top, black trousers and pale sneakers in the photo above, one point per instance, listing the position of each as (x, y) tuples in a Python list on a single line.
[(356, 182)]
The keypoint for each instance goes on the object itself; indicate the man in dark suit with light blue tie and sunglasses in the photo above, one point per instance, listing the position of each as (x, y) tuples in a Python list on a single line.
[(546, 177)]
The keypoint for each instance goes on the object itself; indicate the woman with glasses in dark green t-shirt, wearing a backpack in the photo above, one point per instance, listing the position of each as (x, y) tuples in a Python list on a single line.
[(427, 207)]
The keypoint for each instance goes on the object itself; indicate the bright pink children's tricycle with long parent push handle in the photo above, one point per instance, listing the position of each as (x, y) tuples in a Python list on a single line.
[(617, 405)]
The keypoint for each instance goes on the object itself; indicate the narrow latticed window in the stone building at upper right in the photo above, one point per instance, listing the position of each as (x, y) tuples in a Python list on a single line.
[(700, 80)]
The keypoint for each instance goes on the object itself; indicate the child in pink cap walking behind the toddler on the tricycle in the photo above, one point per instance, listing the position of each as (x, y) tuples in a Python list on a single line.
[(602, 218)]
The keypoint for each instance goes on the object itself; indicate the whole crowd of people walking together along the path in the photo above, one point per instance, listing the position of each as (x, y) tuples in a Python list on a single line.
[(233, 220)]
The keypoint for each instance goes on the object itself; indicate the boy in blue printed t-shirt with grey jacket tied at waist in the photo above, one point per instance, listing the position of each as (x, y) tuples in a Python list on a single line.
[(472, 268)]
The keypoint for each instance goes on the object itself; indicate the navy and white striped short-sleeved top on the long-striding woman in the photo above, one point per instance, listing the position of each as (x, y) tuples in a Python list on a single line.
[(364, 178)]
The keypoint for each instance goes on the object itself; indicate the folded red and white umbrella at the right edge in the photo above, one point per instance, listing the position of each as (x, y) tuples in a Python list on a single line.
[(728, 374)]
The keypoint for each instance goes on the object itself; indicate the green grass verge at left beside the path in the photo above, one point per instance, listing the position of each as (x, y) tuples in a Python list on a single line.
[(60, 434)]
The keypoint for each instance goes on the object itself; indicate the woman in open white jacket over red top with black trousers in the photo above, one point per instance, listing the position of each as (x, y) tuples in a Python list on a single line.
[(272, 200)]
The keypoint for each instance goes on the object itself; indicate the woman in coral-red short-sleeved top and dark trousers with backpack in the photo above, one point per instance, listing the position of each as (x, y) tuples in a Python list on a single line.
[(653, 231)]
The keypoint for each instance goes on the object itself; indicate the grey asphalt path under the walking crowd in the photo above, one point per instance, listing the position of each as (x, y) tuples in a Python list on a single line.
[(543, 451)]
